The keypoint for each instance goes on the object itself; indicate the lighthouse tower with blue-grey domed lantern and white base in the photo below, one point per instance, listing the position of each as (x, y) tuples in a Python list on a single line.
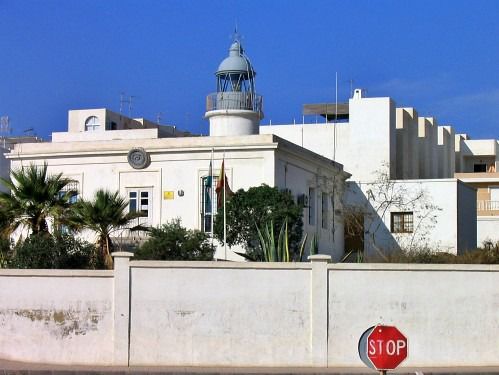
[(235, 109)]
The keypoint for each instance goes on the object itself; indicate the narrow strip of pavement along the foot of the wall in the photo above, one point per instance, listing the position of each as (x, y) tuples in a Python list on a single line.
[(22, 368)]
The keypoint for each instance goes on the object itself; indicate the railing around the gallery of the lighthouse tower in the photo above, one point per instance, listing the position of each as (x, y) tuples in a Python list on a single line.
[(234, 100)]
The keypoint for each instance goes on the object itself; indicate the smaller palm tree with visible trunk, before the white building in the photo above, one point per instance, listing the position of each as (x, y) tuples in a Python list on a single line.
[(105, 214)]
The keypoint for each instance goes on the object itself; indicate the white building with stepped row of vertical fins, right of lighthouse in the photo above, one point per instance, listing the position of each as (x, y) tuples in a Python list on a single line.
[(402, 192)]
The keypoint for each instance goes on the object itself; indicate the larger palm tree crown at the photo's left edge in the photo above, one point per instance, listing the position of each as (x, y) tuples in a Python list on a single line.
[(34, 197)]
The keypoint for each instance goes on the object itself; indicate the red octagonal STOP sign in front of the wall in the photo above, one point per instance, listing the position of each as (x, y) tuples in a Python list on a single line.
[(386, 347)]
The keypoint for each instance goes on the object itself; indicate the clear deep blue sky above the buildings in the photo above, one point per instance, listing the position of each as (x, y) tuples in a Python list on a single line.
[(441, 57)]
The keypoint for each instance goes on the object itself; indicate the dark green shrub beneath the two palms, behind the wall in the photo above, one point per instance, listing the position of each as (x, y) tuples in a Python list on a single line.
[(49, 252)]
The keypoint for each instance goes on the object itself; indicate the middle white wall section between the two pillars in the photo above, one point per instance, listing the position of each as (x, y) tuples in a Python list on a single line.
[(228, 316)]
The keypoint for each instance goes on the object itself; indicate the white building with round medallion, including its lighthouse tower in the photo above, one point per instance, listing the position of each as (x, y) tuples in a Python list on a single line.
[(163, 175)]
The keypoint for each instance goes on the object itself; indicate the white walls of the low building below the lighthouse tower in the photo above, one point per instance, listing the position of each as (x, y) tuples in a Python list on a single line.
[(171, 185)]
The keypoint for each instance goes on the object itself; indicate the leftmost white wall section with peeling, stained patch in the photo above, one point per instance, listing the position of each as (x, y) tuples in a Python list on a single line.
[(56, 316)]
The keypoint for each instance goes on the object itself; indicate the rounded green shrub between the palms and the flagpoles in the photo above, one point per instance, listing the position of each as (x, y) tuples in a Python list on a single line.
[(171, 241)]
